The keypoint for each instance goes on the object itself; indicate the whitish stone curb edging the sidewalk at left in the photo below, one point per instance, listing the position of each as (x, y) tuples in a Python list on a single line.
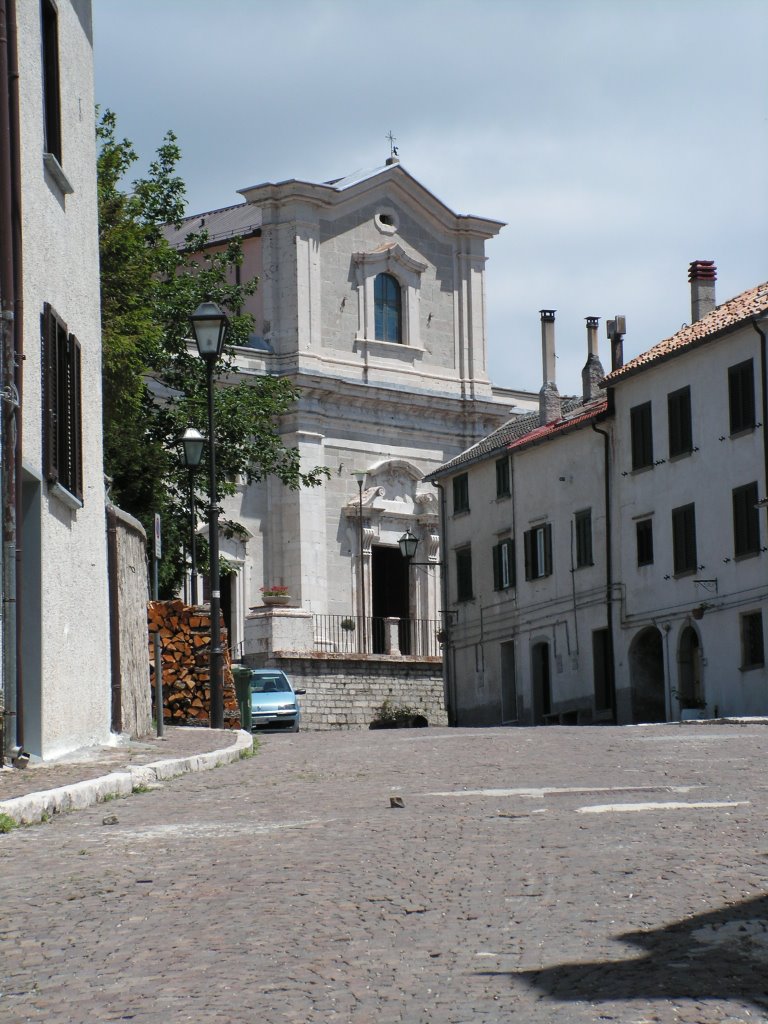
[(35, 807)]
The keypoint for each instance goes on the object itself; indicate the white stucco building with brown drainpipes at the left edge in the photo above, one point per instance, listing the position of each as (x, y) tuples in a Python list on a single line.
[(56, 680)]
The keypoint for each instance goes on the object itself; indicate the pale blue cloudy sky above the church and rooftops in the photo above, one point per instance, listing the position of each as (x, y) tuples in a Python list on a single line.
[(619, 140)]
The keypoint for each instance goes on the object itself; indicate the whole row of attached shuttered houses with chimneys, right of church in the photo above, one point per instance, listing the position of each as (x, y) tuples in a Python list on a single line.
[(624, 576)]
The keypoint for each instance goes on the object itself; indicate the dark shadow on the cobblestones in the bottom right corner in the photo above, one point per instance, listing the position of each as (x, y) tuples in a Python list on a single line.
[(718, 956)]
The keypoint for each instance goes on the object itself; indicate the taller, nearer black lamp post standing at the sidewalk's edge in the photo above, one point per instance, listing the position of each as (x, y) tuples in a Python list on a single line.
[(209, 327)]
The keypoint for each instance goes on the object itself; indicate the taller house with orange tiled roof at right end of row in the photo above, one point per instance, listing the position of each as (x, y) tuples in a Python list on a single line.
[(691, 467)]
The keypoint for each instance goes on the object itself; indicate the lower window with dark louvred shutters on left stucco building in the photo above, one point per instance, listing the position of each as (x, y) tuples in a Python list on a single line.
[(63, 454)]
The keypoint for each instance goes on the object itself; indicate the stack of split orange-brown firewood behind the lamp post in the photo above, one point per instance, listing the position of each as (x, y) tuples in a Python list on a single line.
[(186, 642)]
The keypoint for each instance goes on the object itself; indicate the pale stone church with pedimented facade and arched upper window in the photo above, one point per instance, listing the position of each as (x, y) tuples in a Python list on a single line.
[(371, 301)]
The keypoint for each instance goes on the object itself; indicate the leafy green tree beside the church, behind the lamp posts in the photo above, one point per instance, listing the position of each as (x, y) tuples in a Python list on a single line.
[(154, 388)]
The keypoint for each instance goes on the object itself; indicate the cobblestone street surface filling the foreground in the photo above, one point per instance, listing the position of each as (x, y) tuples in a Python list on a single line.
[(552, 875)]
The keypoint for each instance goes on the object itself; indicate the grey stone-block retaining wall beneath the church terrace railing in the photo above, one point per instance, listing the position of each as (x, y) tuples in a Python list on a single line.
[(345, 693)]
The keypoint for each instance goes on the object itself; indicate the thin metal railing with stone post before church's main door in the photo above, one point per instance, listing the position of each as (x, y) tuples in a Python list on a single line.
[(376, 635)]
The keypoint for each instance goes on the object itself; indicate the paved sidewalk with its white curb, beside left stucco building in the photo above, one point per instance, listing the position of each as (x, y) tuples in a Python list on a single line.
[(92, 775)]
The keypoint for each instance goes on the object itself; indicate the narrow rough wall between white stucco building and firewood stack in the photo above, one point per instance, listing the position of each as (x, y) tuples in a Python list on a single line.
[(132, 703)]
